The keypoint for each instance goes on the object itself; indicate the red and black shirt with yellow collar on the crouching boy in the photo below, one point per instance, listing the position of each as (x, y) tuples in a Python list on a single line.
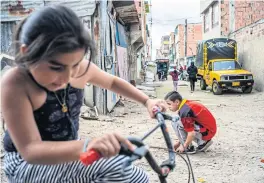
[(192, 112)]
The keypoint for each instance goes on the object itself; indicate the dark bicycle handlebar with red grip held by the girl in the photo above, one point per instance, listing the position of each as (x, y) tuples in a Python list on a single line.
[(162, 170)]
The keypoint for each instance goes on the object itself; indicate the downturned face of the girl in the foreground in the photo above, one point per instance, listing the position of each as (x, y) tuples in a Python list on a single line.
[(55, 73)]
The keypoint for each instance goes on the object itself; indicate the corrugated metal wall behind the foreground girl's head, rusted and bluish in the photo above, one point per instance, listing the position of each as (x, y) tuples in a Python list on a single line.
[(12, 12)]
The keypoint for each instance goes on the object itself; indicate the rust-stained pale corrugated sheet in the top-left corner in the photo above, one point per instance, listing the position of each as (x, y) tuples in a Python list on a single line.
[(16, 10)]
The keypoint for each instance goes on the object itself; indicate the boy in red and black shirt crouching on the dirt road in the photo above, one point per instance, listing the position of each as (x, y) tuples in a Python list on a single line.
[(197, 123)]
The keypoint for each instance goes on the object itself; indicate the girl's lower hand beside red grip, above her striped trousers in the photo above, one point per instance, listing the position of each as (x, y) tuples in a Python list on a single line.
[(109, 145)]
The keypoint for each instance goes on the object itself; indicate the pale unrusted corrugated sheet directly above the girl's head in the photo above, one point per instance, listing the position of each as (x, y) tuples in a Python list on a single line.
[(80, 7)]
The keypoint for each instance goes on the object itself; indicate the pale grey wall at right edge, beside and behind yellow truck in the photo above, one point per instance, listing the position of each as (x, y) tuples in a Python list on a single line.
[(250, 41)]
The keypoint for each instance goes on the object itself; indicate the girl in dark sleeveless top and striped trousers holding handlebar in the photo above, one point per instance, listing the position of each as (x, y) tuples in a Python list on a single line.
[(41, 101)]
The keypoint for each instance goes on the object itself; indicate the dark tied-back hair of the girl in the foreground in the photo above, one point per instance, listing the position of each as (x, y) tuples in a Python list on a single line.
[(50, 31)]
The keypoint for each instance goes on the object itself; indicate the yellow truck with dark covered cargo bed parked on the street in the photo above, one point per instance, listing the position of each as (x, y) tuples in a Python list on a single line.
[(218, 67)]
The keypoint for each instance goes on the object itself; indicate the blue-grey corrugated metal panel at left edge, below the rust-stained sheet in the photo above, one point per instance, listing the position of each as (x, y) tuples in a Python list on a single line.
[(7, 32)]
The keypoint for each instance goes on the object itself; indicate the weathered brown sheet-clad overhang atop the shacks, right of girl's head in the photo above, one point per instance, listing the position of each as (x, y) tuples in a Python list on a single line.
[(127, 11)]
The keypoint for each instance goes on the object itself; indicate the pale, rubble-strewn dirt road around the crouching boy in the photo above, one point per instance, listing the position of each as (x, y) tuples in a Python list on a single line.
[(238, 146)]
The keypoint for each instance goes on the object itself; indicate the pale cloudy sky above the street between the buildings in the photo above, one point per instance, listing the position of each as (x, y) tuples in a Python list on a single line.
[(166, 14)]
